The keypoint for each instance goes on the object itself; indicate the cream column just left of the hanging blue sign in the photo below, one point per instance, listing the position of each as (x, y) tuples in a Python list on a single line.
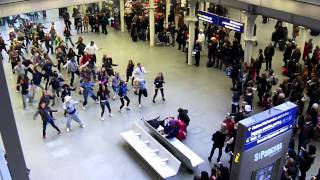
[(191, 20)]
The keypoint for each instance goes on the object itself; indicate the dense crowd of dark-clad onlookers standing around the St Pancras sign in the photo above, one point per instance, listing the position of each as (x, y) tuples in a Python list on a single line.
[(300, 86)]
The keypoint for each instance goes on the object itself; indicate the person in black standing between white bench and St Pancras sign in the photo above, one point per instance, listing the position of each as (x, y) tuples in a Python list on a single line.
[(218, 139)]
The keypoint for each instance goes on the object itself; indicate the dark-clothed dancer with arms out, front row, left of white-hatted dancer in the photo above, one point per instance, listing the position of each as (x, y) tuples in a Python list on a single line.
[(44, 111)]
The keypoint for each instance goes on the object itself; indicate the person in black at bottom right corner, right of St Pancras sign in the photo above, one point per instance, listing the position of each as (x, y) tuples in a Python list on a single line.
[(306, 159)]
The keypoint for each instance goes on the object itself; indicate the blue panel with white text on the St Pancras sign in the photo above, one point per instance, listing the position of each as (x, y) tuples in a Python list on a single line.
[(269, 128)]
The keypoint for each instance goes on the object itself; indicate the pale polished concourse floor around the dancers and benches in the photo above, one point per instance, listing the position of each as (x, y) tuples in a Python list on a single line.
[(97, 152)]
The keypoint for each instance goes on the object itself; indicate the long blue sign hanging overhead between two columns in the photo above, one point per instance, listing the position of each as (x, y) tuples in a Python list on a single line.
[(221, 21)]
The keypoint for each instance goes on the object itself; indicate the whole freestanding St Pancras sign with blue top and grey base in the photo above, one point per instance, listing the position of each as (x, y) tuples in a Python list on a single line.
[(262, 143)]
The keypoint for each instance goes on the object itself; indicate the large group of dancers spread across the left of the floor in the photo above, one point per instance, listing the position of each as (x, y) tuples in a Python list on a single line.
[(41, 59)]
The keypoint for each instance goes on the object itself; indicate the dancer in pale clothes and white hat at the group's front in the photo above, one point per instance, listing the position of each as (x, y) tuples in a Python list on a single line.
[(72, 114)]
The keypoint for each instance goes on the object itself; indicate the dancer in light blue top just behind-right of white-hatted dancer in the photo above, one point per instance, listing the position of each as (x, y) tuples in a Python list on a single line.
[(86, 88)]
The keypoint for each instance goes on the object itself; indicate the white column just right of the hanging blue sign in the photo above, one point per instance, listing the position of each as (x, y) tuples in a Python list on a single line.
[(249, 39)]
